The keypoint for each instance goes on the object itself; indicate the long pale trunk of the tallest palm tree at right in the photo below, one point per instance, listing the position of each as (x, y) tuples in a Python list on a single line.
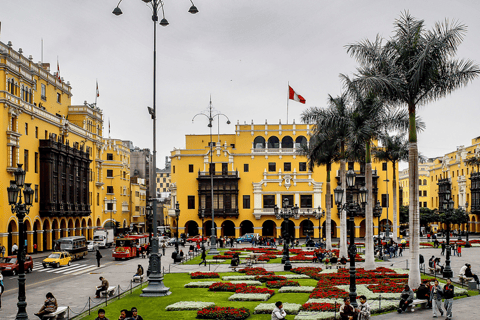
[(414, 215)]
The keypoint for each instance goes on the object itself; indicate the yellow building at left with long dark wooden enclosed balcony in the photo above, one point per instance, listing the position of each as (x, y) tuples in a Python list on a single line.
[(63, 153)]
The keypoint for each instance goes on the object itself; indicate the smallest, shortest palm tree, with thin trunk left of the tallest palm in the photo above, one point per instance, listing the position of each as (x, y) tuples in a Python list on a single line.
[(394, 149)]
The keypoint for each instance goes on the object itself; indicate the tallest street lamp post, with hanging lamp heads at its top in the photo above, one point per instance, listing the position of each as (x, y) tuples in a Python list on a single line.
[(155, 287)]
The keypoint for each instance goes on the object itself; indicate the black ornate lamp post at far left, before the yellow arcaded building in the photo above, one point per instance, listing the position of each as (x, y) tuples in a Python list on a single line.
[(21, 210)]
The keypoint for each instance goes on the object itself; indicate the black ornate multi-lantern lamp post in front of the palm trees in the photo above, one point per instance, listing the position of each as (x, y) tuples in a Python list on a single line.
[(351, 207)]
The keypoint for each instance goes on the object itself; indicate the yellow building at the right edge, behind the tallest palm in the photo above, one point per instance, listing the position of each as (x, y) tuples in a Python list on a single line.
[(450, 172)]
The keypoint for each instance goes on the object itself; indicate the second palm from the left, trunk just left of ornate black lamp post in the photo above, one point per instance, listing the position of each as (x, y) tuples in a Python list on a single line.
[(335, 117)]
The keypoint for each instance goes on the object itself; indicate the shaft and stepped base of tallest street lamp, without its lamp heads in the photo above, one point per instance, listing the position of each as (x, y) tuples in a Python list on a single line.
[(155, 287)]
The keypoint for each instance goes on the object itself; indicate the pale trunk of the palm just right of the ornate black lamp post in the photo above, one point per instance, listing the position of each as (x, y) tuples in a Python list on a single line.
[(369, 254)]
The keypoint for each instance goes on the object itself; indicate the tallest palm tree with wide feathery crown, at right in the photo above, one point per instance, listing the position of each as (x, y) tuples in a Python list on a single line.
[(414, 67)]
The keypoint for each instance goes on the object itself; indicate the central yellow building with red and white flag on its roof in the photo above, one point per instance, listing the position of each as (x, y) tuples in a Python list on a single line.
[(255, 169)]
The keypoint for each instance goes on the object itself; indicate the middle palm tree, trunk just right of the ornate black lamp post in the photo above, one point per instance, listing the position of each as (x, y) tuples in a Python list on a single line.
[(371, 118)]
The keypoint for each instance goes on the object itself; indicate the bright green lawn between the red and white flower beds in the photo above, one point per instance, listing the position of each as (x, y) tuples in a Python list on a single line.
[(154, 308)]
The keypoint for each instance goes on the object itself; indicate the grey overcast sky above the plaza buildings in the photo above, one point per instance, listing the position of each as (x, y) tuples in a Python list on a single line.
[(242, 53)]
